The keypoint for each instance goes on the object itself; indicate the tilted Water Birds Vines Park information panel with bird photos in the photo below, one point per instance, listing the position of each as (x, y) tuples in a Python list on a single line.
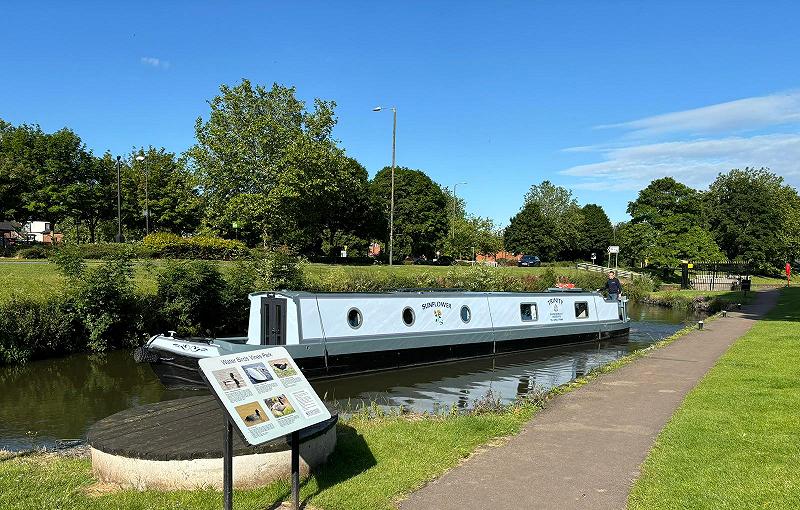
[(264, 393)]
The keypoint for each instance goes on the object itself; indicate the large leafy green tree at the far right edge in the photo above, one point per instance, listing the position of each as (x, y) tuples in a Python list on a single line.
[(753, 216)]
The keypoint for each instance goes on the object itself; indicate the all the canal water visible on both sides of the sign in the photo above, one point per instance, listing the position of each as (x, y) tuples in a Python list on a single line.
[(50, 402)]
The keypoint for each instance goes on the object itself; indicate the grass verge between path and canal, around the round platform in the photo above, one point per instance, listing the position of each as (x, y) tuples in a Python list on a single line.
[(378, 460)]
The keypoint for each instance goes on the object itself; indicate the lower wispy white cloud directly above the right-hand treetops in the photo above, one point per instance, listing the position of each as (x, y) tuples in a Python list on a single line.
[(693, 162)]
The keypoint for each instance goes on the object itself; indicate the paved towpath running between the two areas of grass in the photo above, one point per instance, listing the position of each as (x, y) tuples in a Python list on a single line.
[(585, 449)]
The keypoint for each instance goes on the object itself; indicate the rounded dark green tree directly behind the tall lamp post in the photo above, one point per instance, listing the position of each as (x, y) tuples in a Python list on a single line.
[(420, 216)]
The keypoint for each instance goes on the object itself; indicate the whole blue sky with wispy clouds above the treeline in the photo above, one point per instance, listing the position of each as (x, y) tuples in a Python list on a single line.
[(600, 97)]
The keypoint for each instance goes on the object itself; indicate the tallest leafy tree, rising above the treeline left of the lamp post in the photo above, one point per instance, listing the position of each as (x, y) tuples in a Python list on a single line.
[(244, 148)]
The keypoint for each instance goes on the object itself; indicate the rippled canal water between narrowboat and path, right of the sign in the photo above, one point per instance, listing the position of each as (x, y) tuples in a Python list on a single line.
[(507, 376)]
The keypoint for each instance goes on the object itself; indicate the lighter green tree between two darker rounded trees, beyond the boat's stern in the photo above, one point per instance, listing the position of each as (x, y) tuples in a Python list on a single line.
[(563, 215)]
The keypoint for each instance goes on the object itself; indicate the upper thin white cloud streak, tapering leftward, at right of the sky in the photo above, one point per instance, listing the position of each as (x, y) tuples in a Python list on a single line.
[(742, 114)]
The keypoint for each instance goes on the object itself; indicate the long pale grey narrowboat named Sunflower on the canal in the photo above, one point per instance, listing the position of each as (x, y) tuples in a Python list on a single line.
[(336, 333)]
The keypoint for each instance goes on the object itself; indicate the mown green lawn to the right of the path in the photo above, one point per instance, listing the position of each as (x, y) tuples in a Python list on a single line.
[(735, 441)]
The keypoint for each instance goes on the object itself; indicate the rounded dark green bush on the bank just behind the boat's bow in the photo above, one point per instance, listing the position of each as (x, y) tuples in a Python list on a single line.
[(190, 296)]
